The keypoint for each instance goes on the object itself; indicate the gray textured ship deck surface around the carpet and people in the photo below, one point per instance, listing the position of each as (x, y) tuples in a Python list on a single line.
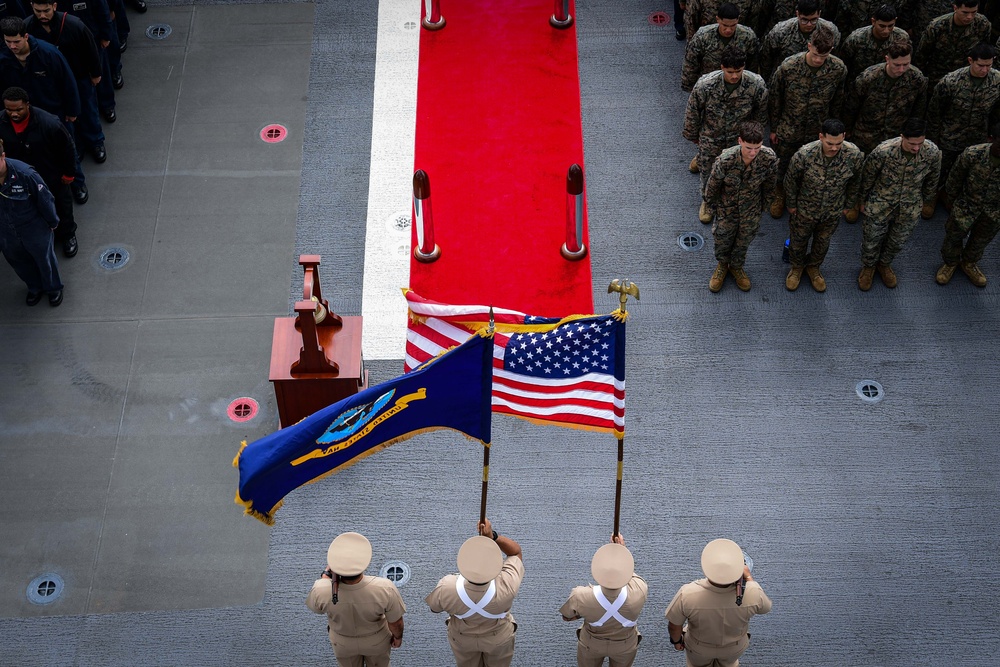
[(873, 526)]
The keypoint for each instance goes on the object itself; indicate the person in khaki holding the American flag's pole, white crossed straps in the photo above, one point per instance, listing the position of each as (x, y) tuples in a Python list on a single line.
[(609, 610)]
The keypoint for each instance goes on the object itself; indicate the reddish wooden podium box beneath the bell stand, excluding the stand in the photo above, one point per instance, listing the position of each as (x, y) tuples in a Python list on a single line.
[(302, 394)]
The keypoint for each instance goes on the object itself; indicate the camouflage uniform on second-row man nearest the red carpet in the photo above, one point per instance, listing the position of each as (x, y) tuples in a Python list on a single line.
[(713, 114)]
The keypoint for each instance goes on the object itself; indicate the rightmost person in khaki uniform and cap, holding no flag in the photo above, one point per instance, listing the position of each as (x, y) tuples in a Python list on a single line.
[(717, 609)]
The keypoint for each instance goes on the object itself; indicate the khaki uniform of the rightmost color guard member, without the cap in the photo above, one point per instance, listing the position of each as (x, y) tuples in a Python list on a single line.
[(716, 632)]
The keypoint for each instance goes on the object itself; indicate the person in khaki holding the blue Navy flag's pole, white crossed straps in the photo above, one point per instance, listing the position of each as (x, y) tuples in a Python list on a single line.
[(478, 601)]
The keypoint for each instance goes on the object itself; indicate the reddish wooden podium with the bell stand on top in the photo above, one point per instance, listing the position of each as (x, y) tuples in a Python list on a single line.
[(316, 355)]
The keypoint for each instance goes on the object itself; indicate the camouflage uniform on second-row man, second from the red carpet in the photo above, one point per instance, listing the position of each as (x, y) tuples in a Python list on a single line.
[(800, 99)]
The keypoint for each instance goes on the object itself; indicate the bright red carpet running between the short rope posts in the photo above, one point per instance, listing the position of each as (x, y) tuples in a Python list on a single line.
[(498, 126)]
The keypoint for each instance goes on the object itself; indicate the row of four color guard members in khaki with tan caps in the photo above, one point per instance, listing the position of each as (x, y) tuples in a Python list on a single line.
[(708, 618)]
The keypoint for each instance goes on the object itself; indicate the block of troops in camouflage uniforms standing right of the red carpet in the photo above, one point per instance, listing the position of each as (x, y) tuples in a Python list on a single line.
[(872, 111)]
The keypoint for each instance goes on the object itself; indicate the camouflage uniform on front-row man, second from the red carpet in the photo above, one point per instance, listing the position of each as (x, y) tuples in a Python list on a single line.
[(819, 188)]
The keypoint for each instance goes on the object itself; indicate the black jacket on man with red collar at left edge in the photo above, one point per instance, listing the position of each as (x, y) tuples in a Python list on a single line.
[(45, 144)]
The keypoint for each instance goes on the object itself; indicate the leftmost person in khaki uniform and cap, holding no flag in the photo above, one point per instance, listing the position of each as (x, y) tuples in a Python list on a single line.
[(365, 613)]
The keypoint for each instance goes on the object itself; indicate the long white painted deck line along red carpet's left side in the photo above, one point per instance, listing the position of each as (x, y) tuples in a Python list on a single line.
[(390, 185)]
